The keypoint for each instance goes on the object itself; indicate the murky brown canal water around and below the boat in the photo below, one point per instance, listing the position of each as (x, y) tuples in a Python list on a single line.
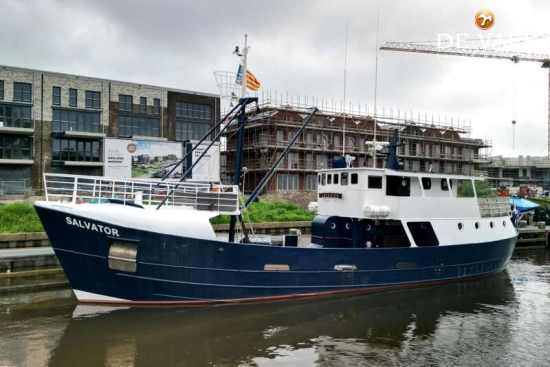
[(503, 320)]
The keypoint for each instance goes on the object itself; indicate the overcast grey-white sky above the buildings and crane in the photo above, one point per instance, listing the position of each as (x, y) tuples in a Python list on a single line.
[(306, 49)]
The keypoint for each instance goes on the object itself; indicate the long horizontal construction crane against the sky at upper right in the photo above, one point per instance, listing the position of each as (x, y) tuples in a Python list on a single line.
[(471, 52)]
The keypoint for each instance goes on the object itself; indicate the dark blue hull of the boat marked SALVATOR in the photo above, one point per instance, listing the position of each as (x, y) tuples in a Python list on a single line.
[(173, 269)]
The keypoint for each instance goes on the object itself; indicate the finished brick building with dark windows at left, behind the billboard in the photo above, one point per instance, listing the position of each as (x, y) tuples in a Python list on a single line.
[(52, 122)]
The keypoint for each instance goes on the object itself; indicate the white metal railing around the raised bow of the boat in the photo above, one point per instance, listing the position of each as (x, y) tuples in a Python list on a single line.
[(97, 190)]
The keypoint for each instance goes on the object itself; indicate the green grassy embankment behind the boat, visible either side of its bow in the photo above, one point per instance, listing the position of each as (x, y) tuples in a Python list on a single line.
[(16, 218)]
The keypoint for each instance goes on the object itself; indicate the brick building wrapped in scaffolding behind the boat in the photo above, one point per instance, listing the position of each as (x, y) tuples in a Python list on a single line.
[(330, 134)]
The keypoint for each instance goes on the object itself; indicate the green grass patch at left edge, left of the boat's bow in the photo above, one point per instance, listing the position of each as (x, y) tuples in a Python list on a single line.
[(16, 218)]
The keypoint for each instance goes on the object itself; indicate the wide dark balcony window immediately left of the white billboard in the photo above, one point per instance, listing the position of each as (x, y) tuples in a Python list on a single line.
[(75, 150)]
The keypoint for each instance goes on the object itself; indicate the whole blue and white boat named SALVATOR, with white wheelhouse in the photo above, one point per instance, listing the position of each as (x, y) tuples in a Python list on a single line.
[(145, 242)]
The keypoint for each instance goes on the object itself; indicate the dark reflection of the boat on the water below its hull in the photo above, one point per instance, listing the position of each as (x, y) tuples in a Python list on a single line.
[(415, 327)]
